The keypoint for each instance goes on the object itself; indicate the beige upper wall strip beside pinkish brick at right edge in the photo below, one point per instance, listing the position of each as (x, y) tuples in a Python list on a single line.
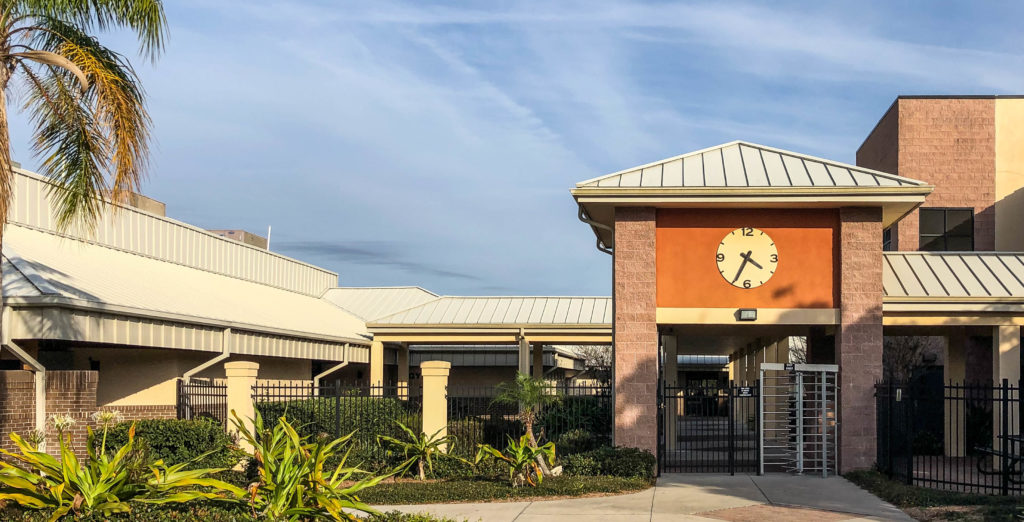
[(1009, 175)]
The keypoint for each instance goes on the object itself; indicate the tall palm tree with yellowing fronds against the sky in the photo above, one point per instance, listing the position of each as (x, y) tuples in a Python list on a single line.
[(86, 101)]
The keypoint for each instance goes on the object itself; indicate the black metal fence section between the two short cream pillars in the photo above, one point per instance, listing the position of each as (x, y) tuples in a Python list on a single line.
[(336, 410)]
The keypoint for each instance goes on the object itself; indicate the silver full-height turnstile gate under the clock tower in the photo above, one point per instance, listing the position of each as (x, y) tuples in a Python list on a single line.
[(798, 419)]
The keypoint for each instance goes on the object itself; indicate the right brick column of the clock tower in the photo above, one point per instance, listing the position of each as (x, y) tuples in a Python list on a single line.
[(859, 344)]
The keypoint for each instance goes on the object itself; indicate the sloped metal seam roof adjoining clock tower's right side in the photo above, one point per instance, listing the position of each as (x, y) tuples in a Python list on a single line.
[(953, 275)]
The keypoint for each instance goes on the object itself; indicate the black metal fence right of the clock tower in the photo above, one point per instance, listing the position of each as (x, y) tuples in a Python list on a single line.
[(960, 438)]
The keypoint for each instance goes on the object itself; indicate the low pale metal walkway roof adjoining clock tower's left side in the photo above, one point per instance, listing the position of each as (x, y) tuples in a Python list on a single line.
[(505, 311)]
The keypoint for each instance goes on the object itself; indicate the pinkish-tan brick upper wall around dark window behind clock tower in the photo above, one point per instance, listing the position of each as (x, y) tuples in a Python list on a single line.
[(949, 143)]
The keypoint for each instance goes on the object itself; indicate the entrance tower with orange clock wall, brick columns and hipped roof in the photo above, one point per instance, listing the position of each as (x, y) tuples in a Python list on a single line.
[(700, 238)]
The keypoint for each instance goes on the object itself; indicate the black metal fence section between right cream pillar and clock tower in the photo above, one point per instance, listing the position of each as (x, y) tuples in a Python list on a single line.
[(579, 421)]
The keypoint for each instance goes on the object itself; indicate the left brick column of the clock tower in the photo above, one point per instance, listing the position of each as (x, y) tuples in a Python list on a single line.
[(635, 330)]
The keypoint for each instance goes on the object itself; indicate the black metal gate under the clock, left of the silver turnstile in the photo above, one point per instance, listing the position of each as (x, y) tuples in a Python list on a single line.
[(709, 428)]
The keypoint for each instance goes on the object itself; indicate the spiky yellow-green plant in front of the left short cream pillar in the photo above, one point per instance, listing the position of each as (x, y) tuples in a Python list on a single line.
[(292, 482)]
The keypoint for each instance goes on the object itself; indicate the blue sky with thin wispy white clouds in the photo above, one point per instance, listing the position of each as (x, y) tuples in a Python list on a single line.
[(435, 144)]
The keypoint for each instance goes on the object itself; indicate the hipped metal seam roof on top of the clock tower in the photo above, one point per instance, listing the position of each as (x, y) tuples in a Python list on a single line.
[(741, 164)]
